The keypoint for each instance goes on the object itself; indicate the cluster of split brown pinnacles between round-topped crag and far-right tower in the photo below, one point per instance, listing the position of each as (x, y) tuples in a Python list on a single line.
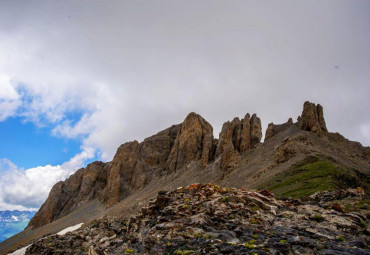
[(236, 137)]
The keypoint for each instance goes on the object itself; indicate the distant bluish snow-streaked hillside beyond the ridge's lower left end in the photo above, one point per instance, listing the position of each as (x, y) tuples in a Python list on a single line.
[(13, 222)]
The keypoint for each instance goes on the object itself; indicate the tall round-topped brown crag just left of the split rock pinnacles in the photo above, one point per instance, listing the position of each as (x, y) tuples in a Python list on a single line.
[(193, 142)]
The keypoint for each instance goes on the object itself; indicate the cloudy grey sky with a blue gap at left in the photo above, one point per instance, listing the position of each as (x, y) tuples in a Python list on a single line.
[(79, 78)]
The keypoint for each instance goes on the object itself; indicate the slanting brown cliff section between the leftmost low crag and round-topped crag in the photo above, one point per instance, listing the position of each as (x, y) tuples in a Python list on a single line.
[(134, 164)]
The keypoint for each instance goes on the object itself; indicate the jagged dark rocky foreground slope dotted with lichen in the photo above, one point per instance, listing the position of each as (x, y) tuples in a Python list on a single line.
[(209, 219)]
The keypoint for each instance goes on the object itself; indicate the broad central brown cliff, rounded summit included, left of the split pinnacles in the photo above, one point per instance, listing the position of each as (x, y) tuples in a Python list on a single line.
[(135, 163)]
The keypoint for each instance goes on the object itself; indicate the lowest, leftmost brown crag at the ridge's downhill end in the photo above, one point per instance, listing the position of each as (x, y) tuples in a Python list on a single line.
[(84, 185)]
